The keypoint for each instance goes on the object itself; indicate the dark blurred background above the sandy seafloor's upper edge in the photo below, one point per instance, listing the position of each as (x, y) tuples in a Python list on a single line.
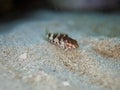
[(13, 9)]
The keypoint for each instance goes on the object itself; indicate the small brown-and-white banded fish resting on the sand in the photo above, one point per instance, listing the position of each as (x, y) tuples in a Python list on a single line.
[(62, 40)]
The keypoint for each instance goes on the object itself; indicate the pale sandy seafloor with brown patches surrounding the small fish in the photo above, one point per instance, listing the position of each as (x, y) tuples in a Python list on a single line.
[(29, 62)]
